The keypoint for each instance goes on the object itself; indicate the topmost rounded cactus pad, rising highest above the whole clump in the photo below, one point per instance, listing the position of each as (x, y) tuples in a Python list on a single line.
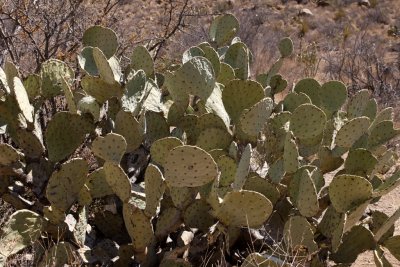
[(223, 29)]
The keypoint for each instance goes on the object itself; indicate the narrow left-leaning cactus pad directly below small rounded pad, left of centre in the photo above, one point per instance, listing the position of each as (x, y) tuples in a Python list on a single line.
[(118, 180)]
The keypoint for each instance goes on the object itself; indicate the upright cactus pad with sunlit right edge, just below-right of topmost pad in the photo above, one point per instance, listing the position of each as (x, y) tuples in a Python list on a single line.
[(237, 56)]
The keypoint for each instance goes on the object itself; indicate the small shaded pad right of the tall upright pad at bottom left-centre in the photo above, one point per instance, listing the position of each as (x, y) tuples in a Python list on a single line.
[(168, 222)]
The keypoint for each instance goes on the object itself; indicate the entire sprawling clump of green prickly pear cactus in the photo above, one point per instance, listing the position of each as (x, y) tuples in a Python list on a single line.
[(224, 155)]
